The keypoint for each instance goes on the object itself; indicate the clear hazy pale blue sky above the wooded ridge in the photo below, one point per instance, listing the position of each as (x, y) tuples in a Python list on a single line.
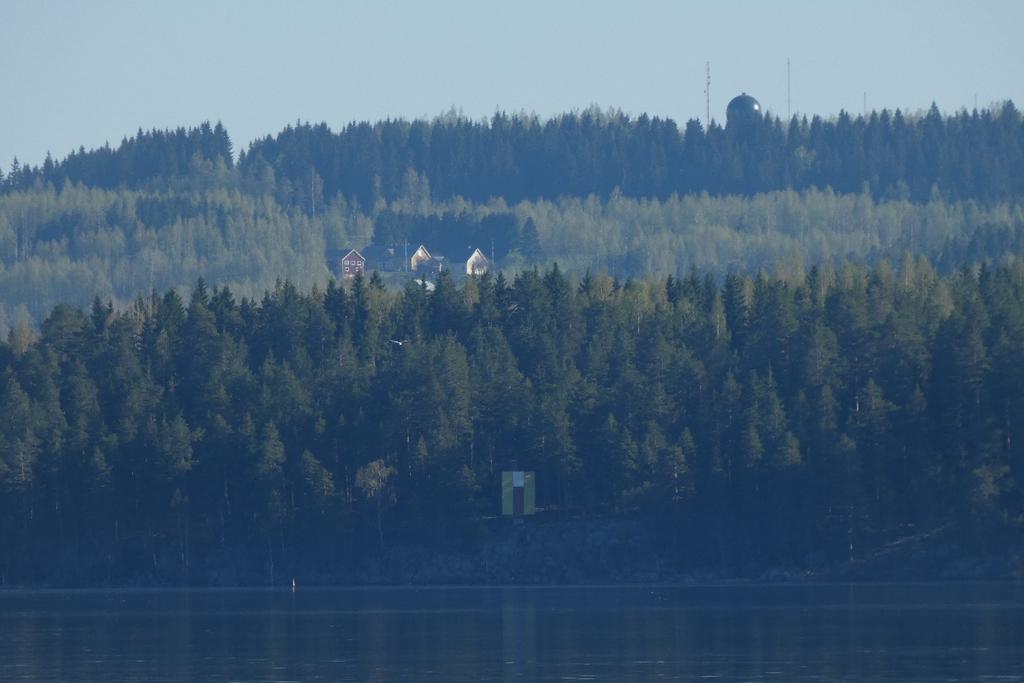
[(86, 73)]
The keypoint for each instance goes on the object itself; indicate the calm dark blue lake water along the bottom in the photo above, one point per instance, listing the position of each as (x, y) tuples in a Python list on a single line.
[(730, 633)]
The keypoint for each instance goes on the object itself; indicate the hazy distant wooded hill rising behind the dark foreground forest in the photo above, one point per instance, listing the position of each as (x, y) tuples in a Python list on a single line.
[(632, 197)]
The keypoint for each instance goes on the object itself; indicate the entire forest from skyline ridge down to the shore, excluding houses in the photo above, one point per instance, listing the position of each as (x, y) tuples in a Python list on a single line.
[(784, 345)]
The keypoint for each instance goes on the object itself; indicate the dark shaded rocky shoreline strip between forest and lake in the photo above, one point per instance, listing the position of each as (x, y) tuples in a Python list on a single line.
[(614, 550)]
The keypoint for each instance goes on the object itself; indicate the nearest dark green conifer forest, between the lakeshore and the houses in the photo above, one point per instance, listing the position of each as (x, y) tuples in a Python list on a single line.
[(765, 420)]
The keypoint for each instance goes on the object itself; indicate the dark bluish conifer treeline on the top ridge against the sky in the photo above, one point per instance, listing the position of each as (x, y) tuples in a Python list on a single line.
[(975, 155)]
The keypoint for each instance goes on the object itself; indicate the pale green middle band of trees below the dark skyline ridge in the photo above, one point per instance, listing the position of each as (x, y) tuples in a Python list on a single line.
[(73, 244)]
